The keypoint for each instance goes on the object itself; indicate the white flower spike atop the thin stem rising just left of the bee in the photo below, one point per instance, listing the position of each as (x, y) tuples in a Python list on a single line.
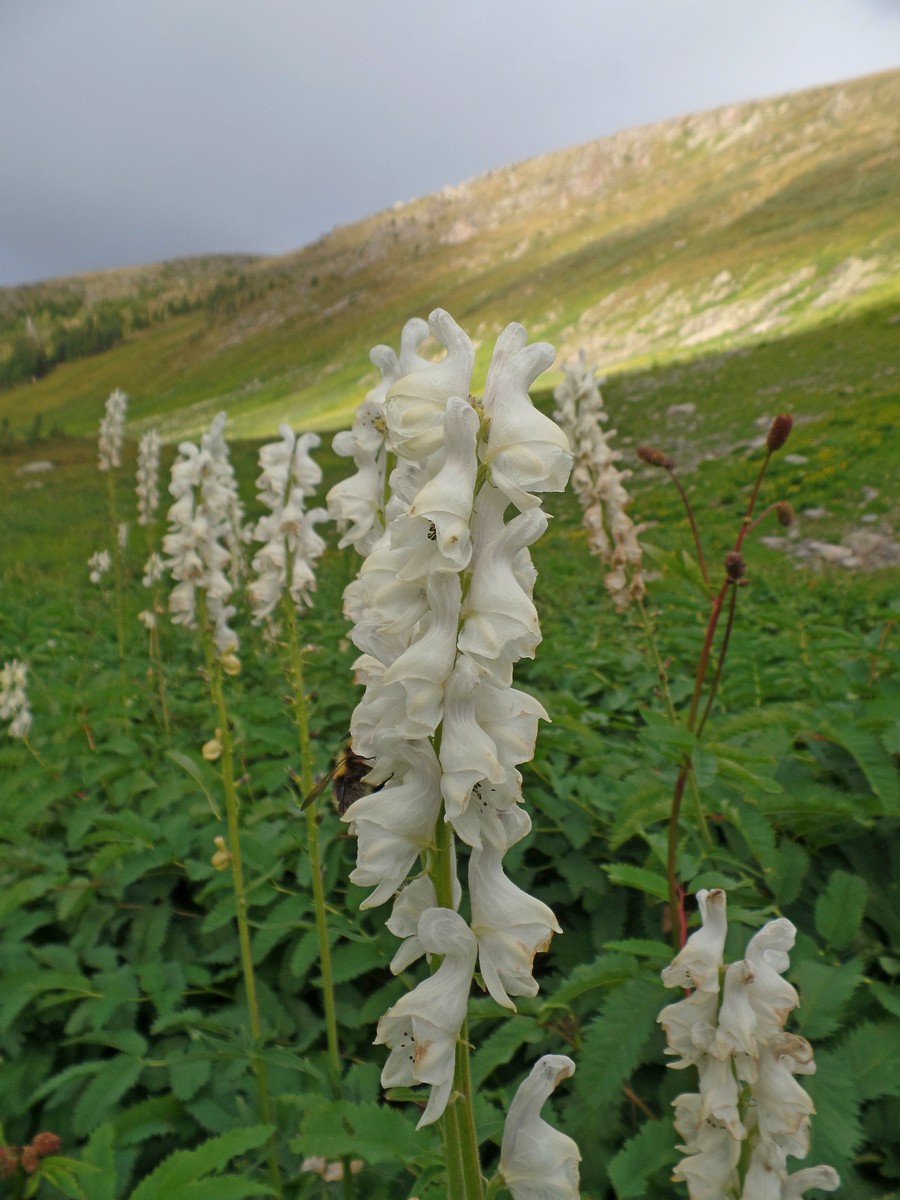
[(289, 532)]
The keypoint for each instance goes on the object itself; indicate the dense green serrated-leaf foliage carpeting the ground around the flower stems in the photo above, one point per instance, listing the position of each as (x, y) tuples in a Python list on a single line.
[(123, 1022)]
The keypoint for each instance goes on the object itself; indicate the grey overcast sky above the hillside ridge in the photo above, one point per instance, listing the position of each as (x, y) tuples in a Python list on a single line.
[(140, 130)]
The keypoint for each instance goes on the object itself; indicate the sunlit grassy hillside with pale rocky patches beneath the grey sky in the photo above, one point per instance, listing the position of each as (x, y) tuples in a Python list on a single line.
[(701, 233)]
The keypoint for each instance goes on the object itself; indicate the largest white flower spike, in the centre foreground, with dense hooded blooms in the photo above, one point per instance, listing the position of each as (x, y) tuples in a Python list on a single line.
[(442, 613)]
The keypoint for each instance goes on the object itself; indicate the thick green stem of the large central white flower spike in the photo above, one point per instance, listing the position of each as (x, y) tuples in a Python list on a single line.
[(459, 1120)]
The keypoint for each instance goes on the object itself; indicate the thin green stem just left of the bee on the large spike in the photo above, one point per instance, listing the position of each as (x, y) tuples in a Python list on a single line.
[(302, 716)]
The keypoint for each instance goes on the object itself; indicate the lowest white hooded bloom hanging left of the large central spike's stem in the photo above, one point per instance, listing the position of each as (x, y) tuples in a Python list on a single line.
[(423, 1028)]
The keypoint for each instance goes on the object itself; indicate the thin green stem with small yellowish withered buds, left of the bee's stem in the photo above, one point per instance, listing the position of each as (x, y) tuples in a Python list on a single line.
[(241, 895)]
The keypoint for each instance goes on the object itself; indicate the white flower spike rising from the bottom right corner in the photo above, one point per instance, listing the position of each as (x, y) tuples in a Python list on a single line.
[(749, 1113)]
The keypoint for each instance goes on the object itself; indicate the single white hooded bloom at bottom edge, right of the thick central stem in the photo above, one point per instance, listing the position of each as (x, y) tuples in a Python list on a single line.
[(537, 1161)]
